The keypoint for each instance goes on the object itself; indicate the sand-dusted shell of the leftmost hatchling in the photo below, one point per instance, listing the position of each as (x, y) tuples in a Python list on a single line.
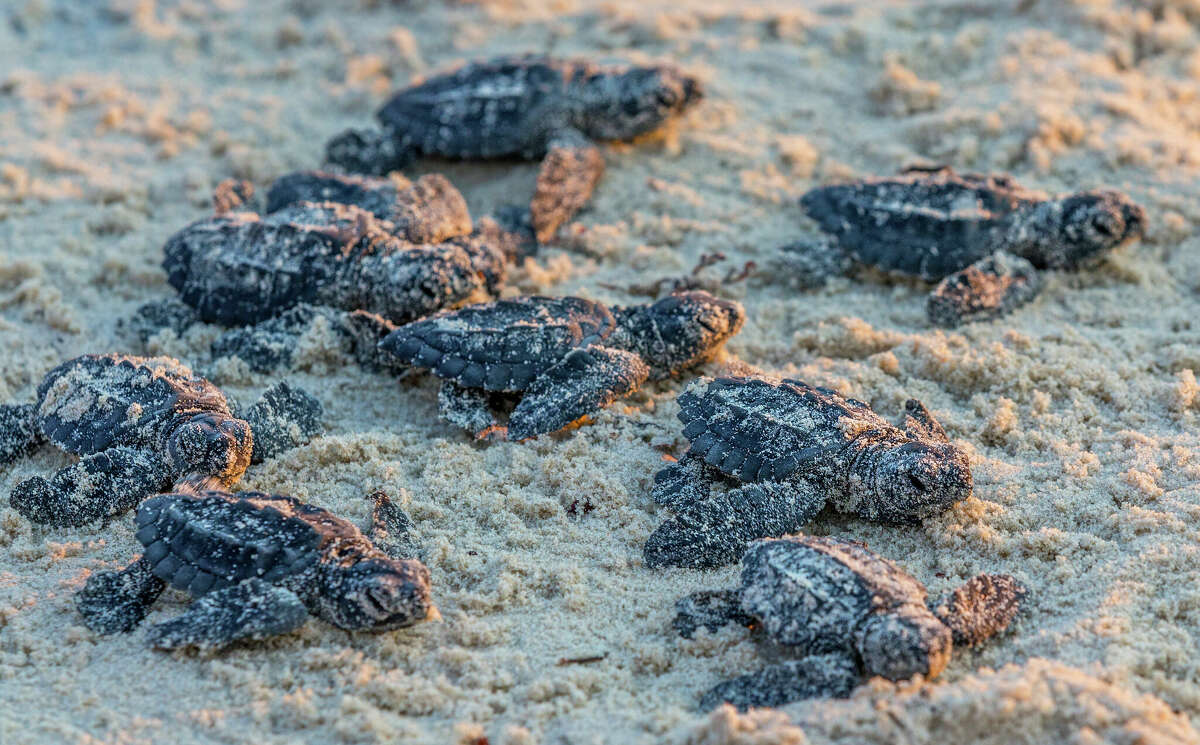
[(93, 402)]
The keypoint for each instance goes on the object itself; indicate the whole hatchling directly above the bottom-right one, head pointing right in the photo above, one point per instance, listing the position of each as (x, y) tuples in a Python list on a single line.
[(791, 449)]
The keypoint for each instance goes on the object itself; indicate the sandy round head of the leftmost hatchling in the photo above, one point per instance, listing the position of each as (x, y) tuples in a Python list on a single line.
[(211, 450)]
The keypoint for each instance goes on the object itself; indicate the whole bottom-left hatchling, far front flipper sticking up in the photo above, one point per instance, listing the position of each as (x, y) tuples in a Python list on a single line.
[(259, 566)]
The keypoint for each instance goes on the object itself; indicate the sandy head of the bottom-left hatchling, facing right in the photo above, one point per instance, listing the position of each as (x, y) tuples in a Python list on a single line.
[(380, 594)]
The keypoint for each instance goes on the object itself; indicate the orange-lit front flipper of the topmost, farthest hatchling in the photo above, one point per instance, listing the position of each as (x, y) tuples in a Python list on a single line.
[(569, 173)]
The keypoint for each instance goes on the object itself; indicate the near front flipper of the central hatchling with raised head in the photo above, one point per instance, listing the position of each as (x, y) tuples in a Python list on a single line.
[(584, 382)]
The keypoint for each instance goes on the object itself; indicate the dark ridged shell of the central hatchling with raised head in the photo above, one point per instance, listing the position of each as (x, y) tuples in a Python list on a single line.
[(501, 346)]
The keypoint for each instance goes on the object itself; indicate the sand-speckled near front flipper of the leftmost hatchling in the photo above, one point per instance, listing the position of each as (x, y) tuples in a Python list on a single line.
[(99, 486)]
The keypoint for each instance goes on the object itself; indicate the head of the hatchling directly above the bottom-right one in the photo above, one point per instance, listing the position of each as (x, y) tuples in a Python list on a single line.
[(916, 480)]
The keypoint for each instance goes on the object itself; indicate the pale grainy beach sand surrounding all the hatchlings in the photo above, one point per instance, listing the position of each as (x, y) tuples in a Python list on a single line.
[(1079, 412)]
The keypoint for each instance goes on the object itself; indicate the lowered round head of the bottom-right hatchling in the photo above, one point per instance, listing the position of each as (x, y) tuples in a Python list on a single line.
[(904, 644)]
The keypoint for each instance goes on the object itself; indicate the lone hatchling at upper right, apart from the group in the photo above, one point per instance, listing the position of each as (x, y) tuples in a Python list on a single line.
[(983, 237)]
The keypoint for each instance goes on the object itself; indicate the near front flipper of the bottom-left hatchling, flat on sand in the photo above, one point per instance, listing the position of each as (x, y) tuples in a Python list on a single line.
[(254, 610)]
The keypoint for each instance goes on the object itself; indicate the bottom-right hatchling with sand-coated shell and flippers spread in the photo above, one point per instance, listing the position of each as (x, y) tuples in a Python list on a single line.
[(847, 614)]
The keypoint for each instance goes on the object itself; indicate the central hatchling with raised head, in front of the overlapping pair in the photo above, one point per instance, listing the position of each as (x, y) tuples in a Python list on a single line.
[(565, 357)]
